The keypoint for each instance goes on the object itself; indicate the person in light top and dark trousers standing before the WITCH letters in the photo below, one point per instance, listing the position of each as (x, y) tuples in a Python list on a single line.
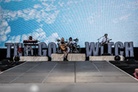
[(105, 42)]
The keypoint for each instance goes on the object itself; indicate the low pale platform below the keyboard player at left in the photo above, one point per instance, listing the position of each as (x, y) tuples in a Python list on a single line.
[(33, 58)]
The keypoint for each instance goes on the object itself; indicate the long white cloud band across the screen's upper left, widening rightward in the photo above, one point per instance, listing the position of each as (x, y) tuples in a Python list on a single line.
[(41, 12)]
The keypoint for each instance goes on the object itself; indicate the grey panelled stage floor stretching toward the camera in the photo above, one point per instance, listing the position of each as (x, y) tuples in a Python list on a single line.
[(52, 76)]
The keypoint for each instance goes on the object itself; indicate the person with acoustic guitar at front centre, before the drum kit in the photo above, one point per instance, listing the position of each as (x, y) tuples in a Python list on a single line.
[(64, 48)]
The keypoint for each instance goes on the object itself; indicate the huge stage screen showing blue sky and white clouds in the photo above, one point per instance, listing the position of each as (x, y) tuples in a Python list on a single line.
[(87, 20)]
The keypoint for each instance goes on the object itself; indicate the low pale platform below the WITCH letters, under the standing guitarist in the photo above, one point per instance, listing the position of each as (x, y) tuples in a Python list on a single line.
[(104, 58)]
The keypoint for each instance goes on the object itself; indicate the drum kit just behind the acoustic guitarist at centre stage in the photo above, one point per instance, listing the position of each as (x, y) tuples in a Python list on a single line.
[(72, 46)]
